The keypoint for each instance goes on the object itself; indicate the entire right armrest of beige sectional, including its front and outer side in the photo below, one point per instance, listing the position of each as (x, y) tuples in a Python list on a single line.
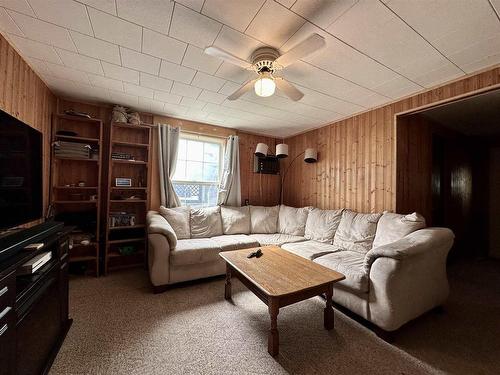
[(408, 277)]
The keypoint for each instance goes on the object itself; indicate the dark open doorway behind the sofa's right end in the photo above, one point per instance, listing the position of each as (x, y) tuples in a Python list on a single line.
[(448, 162)]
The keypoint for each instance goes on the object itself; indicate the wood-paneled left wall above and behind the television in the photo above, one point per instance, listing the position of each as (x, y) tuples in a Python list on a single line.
[(25, 96)]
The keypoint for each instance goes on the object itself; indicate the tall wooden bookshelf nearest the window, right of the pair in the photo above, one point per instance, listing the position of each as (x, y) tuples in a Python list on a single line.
[(125, 246)]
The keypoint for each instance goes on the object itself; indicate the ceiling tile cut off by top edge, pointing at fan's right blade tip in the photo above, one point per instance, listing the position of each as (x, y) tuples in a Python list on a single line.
[(322, 12)]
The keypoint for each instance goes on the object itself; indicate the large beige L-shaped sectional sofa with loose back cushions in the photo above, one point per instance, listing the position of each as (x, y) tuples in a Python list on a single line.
[(395, 267)]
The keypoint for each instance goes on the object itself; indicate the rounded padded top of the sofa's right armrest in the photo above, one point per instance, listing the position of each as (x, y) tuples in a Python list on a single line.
[(418, 242)]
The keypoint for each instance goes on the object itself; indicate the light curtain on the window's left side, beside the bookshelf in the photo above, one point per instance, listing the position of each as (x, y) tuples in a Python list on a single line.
[(168, 143)]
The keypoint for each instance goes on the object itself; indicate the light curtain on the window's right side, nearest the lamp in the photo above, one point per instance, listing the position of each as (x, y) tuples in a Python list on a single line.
[(230, 184)]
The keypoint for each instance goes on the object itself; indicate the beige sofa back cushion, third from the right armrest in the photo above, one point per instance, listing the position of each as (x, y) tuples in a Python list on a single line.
[(321, 225)]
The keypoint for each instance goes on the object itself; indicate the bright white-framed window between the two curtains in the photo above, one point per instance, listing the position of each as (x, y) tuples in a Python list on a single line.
[(198, 170)]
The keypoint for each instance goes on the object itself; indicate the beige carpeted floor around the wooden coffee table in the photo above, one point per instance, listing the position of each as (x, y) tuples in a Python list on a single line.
[(120, 327)]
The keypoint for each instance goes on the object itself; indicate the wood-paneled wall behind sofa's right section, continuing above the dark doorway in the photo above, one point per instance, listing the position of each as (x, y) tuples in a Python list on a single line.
[(357, 156)]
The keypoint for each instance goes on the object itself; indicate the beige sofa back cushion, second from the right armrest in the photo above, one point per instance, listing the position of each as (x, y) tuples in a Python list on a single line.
[(356, 231)]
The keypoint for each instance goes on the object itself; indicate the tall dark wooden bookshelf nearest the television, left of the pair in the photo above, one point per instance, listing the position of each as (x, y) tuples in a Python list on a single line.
[(78, 205)]
